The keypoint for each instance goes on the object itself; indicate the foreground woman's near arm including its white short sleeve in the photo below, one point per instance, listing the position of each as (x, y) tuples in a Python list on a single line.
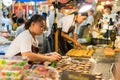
[(25, 49)]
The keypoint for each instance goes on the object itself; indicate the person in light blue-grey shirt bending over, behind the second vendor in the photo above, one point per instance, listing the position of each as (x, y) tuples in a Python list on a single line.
[(86, 28)]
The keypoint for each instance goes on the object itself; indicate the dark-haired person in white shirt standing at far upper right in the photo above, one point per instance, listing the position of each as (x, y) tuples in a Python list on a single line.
[(108, 21)]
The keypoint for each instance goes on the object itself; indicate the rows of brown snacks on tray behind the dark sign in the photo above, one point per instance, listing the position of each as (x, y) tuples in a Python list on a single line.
[(74, 65)]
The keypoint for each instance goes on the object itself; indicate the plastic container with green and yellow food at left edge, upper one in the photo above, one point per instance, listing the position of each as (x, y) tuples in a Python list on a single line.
[(13, 64)]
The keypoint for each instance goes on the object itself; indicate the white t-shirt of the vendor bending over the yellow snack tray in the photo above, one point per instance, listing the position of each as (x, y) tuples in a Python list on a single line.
[(66, 22)]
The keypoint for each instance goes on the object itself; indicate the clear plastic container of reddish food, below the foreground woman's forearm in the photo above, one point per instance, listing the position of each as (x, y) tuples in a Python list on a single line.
[(43, 72)]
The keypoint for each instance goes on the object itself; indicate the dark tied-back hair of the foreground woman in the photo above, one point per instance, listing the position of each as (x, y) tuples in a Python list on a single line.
[(34, 18)]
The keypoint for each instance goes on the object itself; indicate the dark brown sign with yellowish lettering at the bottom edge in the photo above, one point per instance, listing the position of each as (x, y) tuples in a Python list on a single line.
[(68, 75)]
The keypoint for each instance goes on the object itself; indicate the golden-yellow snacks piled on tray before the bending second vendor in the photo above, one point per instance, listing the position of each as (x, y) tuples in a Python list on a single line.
[(80, 53)]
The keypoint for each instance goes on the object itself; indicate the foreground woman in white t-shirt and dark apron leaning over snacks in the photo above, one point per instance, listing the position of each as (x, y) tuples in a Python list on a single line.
[(26, 45)]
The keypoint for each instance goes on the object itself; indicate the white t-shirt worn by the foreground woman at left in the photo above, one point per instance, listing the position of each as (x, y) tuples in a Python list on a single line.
[(22, 43)]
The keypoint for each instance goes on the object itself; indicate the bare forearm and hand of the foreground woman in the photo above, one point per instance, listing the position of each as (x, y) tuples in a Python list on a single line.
[(40, 57)]
